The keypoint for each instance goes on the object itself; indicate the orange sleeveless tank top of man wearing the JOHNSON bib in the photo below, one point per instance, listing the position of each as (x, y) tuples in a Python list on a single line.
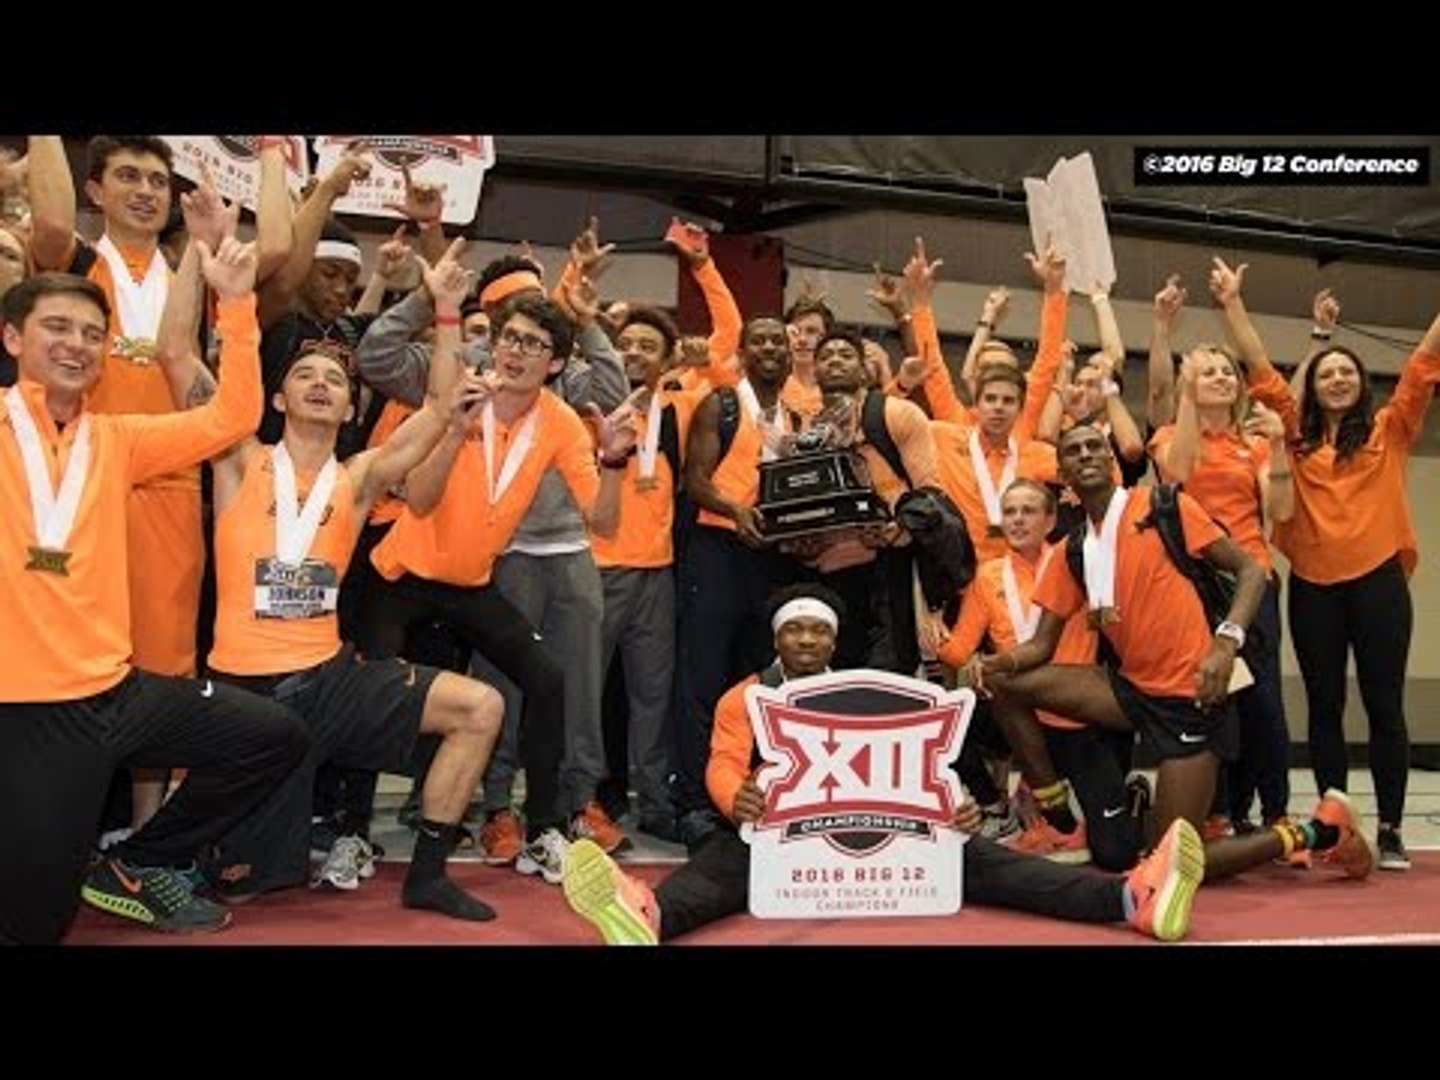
[(250, 644)]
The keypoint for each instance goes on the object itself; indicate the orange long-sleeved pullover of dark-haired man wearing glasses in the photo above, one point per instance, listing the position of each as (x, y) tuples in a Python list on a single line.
[(462, 538)]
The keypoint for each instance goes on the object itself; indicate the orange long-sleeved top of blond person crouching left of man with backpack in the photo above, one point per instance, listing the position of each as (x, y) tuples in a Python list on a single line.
[(984, 611)]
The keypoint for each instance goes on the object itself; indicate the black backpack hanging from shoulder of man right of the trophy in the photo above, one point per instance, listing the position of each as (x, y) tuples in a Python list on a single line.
[(944, 552)]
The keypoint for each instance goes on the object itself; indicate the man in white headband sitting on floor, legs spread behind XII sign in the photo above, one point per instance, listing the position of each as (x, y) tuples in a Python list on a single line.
[(1156, 898)]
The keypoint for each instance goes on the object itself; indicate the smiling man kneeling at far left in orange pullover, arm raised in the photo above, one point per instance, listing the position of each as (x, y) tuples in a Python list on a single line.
[(71, 716)]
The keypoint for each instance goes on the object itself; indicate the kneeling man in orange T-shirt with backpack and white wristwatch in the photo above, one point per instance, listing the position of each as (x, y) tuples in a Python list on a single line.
[(1173, 685)]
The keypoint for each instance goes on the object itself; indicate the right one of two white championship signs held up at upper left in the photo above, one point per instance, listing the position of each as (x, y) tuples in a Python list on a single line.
[(457, 162)]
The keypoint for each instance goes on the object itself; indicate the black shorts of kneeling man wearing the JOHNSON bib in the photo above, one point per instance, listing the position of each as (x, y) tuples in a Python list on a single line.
[(361, 714)]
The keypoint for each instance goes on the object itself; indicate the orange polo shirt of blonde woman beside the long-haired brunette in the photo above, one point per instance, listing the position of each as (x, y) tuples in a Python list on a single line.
[(1226, 483)]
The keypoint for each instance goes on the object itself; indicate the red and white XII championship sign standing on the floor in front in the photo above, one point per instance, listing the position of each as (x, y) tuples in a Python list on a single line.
[(859, 797)]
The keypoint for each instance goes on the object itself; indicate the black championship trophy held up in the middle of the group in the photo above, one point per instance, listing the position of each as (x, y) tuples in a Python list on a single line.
[(820, 483)]
